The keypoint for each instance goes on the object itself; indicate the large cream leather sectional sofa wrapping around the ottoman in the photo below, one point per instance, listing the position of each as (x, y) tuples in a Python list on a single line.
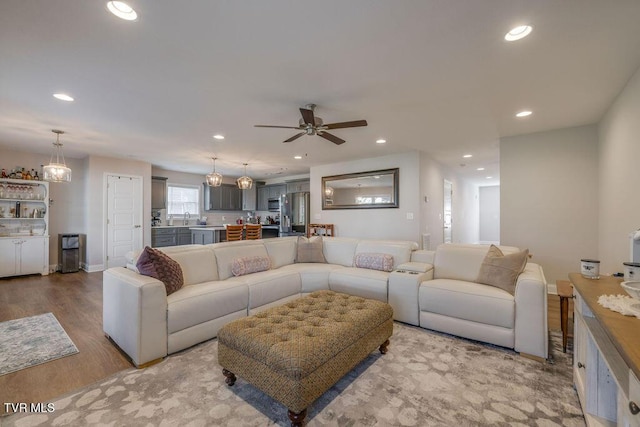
[(147, 324)]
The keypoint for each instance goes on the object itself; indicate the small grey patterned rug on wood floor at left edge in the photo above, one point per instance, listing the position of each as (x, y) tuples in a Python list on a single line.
[(32, 341)]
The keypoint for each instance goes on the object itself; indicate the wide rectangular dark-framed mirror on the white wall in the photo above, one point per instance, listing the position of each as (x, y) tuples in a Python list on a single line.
[(362, 190)]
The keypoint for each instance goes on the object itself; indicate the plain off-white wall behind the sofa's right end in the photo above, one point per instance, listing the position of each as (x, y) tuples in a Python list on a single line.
[(549, 197)]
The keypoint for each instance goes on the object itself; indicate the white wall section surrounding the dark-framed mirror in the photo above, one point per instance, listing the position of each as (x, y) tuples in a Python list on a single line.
[(387, 223)]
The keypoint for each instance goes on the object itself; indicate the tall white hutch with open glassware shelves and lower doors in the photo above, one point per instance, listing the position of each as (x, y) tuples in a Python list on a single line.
[(24, 227)]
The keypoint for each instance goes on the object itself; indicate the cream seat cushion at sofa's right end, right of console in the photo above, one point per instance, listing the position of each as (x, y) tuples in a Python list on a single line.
[(468, 301)]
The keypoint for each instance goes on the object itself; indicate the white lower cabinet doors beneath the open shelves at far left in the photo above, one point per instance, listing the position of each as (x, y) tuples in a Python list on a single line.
[(24, 255)]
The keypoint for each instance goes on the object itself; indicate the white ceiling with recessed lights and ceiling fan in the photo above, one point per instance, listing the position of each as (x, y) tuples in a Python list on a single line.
[(433, 75)]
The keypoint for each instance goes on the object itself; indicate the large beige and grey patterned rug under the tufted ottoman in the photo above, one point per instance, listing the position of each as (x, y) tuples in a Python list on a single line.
[(426, 379)]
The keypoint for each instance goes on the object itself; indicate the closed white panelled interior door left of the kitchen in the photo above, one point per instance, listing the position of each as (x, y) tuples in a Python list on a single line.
[(124, 218)]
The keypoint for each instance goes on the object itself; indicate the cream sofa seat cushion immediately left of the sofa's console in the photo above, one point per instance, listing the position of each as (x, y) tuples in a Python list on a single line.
[(361, 282)]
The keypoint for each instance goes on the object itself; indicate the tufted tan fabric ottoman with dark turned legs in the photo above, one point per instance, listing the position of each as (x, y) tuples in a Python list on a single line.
[(297, 351)]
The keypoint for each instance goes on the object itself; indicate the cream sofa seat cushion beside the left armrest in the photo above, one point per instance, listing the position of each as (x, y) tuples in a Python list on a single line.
[(193, 305)]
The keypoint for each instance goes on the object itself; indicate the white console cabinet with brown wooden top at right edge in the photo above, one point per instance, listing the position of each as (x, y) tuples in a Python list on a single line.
[(606, 356)]
